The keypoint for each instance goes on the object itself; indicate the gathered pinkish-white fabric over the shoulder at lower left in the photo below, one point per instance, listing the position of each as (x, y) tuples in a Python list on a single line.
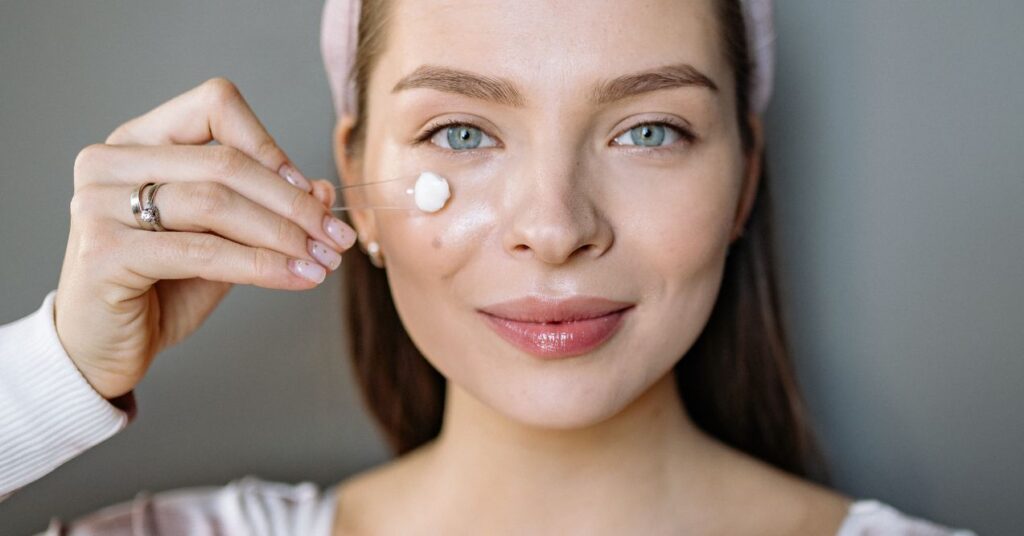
[(246, 506)]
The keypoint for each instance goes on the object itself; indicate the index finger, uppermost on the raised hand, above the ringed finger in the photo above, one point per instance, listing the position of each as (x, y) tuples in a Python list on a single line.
[(214, 111)]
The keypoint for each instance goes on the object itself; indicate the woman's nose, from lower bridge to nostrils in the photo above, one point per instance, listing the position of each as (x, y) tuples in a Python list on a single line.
[(554, 217)]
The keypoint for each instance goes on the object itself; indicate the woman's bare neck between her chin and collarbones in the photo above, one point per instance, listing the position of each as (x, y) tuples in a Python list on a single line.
[(646, 459)]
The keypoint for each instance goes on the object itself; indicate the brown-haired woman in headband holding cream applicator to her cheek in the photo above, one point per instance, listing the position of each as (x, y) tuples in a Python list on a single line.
[(584, 340)]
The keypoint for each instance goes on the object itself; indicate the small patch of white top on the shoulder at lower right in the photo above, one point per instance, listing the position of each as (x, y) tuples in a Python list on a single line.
[(870, 517)]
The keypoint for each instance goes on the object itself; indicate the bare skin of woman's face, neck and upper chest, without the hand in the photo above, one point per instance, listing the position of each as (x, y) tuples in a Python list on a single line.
[(553, 208)]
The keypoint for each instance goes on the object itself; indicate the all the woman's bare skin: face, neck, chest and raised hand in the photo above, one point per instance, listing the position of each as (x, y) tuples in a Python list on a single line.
[(528, 446)]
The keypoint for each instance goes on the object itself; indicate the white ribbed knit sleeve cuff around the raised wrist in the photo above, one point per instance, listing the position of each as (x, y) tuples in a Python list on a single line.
[(50, 414)]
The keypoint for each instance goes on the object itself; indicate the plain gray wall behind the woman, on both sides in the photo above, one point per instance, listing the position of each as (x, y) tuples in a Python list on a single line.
[(895, 142)]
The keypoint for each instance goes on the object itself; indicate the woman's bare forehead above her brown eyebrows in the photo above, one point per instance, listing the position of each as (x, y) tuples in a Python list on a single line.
[(553, 46)]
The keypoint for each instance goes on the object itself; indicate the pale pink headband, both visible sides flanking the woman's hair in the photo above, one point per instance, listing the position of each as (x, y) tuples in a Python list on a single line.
[(339, 28)]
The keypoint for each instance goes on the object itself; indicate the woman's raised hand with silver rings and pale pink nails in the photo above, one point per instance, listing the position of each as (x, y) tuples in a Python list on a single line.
[(231, 217)]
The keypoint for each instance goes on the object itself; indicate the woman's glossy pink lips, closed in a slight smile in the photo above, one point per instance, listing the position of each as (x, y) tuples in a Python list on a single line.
[(549, 328)]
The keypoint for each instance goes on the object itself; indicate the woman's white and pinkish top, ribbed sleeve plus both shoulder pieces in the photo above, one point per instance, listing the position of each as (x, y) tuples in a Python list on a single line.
[(50, 415)]
